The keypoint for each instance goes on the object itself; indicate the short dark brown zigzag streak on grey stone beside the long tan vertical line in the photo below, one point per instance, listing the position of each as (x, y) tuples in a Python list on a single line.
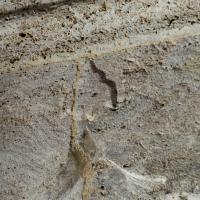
[(110, 83)]
